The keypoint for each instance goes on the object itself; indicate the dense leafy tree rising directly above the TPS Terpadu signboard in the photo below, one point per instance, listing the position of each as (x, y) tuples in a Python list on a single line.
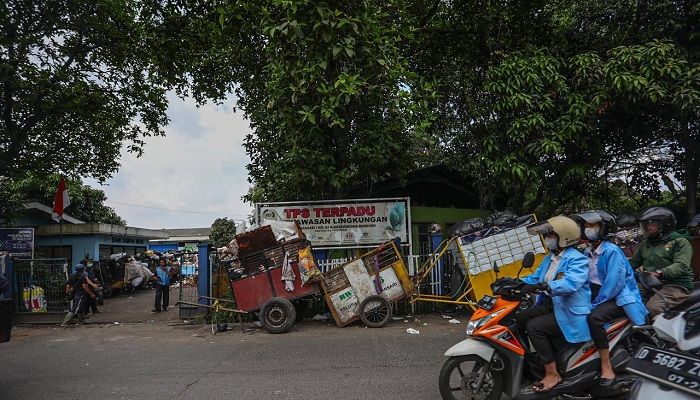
[(325, 86)]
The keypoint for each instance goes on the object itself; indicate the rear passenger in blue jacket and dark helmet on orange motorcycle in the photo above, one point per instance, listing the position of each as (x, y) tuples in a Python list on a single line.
[(614, 291)]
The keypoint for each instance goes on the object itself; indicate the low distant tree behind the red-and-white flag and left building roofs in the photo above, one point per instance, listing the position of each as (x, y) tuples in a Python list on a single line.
[(87, 203)]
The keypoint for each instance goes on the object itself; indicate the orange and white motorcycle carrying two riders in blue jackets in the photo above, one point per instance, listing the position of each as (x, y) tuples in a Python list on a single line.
[(494, 360)]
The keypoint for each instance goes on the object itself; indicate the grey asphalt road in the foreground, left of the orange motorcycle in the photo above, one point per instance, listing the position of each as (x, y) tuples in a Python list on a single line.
[(158, 361)]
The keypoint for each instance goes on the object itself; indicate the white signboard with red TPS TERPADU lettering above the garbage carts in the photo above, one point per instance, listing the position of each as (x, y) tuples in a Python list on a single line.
[(344, 223)]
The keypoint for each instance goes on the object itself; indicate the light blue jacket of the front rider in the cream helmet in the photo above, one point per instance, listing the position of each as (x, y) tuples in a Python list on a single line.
[(571, 293)]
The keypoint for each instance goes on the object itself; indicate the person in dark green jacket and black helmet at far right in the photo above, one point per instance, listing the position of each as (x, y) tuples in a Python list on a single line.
[(667, 255)]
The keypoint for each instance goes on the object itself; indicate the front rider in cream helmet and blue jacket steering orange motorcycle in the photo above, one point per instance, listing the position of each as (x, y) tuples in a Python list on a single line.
[(565, 300)]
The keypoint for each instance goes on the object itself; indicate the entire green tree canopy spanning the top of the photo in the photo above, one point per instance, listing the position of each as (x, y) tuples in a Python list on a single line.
[(545, 104)]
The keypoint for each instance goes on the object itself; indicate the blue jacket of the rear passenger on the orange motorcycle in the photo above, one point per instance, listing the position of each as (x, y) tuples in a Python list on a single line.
[(618, 283)]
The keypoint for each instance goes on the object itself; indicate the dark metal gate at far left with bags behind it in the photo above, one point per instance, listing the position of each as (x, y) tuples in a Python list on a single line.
[(40, 285)]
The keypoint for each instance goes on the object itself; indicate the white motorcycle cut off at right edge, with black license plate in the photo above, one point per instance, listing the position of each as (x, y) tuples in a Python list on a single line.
[(673, 370)]
